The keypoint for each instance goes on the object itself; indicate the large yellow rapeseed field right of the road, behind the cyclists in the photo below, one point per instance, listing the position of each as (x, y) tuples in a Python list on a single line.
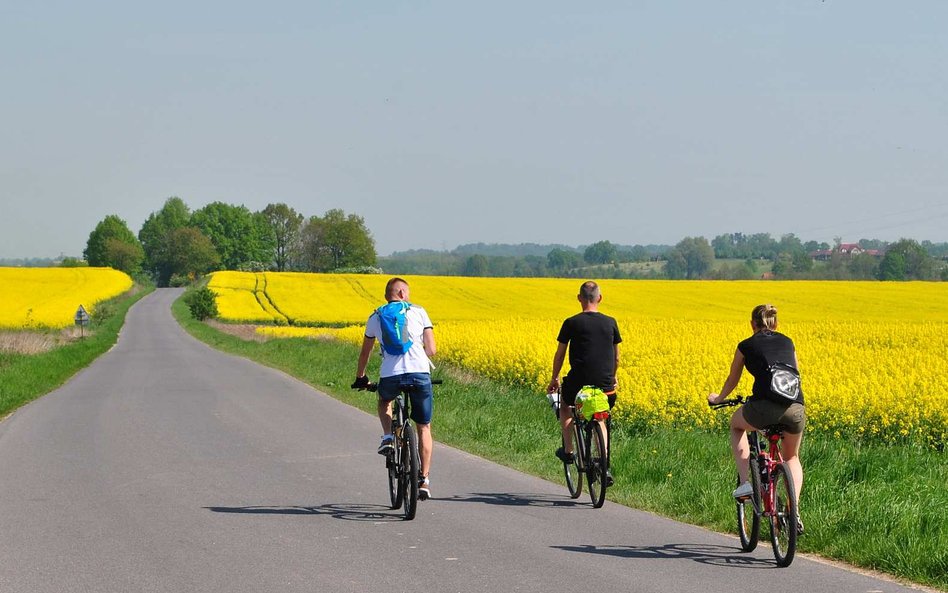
[(872, 354)]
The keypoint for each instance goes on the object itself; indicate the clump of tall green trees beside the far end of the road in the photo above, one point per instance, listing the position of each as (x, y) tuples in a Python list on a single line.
[(174, 244)]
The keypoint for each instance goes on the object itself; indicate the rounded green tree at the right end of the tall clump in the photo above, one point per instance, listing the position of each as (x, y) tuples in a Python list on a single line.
[(336, 241)]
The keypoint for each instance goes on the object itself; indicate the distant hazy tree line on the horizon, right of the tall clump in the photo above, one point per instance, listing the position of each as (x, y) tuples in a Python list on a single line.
[(734, 256)]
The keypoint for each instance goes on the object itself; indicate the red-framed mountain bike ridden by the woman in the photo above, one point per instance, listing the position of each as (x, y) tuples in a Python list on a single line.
[(773, 497)]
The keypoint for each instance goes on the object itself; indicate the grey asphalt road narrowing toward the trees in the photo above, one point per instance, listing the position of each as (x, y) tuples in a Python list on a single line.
[(167, 466)]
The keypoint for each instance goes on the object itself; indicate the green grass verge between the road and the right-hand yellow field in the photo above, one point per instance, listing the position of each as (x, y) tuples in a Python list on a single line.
[(878, 507)]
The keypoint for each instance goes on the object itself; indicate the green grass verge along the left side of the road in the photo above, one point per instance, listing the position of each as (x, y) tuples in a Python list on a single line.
[(24, 378)]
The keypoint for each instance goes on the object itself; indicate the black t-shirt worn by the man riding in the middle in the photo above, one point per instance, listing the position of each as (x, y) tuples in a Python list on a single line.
[(592, 337)]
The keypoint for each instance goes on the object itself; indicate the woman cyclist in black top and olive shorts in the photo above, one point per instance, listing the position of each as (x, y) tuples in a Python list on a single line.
[(765, 407)]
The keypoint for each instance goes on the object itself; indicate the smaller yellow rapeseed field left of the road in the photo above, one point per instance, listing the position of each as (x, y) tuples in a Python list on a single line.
[(41, 298)]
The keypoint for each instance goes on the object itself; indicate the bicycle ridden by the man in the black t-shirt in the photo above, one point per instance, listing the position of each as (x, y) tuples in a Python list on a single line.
[(590, 454)]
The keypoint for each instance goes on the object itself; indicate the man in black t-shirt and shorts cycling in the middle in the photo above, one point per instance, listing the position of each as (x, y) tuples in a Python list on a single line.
[(593, 340)]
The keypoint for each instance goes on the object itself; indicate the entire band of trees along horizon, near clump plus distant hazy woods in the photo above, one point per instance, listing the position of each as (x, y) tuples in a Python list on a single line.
[(176, 244)]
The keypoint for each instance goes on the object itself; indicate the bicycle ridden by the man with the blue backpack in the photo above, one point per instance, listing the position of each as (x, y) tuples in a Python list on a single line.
[(403, 464)]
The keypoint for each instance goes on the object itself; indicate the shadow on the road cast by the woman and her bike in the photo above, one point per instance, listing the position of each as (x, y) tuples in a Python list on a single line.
[(703, 553)]
